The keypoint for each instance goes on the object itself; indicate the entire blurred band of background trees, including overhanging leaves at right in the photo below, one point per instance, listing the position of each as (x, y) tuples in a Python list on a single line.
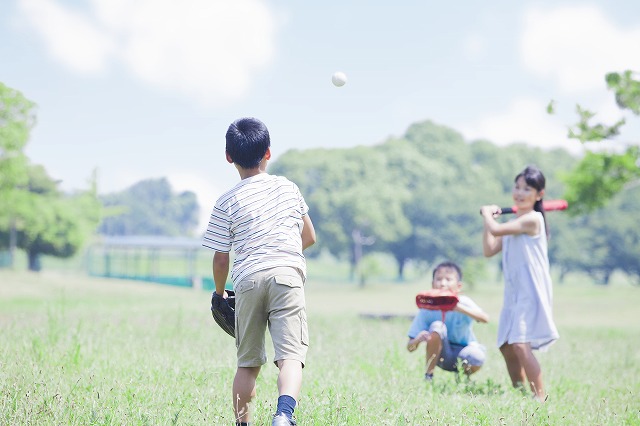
[(415, 197)]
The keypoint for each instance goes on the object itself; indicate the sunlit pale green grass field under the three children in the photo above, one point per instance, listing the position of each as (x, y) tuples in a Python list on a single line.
[(81, 351)]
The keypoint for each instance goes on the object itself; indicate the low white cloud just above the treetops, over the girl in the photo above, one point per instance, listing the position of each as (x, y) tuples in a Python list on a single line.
[(524, 121)]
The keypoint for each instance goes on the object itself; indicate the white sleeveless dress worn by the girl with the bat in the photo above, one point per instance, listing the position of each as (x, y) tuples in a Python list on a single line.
[(526, 315)]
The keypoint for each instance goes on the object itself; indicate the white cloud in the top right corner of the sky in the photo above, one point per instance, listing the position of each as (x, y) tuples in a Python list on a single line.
[(576, 46)]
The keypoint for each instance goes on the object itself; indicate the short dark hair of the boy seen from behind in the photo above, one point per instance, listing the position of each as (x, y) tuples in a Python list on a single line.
[(247, 142)]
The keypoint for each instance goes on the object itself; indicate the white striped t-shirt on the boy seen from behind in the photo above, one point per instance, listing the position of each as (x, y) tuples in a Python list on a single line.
[(261, 219)]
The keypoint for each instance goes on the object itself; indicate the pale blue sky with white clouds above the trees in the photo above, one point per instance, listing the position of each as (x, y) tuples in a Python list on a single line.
[(140, 89)]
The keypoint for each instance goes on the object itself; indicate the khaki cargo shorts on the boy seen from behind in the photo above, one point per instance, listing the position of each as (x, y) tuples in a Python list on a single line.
[(274, 298)]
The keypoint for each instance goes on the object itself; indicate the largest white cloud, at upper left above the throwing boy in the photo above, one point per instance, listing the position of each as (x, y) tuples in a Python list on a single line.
[(204, 49)]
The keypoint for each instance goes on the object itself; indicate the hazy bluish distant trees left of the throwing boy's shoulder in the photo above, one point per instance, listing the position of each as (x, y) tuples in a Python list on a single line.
[(150, 207)]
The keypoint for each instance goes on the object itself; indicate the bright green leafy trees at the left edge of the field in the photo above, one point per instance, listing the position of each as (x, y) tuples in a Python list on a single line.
[(34, 215)]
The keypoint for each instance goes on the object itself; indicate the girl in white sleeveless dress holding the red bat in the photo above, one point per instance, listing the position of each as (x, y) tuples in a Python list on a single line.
[(526, 321)]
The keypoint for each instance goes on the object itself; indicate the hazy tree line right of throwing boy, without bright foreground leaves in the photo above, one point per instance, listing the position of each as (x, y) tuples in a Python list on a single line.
[(417, 198)]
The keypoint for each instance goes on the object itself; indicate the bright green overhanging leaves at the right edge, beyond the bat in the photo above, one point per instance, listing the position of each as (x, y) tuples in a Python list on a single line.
[(602, 174)]
